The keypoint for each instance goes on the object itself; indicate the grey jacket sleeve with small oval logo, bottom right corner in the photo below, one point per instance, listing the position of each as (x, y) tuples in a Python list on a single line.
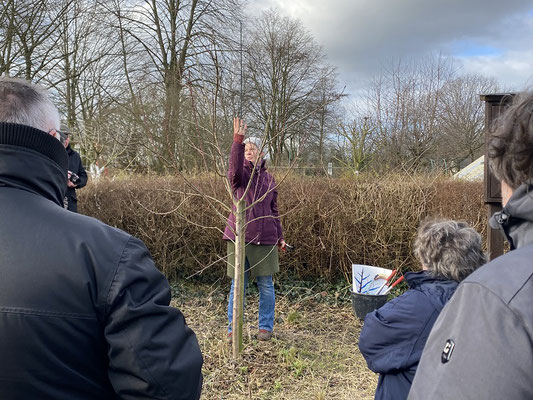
[(492, 355)]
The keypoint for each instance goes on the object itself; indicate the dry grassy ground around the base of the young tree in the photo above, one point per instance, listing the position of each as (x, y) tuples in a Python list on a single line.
[(313, 354)]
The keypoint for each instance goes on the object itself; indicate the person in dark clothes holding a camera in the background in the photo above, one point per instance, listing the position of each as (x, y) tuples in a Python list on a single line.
[(77, 176)]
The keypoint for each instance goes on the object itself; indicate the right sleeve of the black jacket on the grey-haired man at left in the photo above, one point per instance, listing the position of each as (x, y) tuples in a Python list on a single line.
[(152, 353)]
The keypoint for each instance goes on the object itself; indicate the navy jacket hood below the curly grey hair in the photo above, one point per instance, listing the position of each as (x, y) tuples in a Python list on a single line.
[(439, 291)]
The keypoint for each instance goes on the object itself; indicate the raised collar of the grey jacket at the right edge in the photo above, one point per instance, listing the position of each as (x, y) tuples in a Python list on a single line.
[(515, 221)]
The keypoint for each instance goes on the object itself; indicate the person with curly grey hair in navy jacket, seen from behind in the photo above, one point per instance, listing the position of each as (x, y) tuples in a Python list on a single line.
[(393, 337)]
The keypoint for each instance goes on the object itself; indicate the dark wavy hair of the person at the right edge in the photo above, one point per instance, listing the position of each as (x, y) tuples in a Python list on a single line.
[(510, 146)]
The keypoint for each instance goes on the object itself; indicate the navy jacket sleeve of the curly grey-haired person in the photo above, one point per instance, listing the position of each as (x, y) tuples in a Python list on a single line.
[(390, 335)]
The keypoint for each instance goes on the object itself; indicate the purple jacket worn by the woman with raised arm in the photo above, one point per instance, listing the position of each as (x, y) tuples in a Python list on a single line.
[(263, 218)]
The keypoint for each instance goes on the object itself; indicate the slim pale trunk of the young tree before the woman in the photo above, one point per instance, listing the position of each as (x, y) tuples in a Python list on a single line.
[(238, 287)]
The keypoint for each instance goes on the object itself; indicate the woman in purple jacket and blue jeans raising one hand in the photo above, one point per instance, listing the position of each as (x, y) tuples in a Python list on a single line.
[(263, 234)]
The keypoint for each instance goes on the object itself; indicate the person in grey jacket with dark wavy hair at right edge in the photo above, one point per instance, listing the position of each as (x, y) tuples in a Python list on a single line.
[(482, 344)]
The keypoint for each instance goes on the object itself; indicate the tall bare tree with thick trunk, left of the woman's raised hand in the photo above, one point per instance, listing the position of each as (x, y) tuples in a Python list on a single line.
[(162, 42)]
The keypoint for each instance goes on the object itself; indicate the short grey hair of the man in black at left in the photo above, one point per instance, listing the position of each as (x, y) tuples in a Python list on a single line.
[(22, 102)]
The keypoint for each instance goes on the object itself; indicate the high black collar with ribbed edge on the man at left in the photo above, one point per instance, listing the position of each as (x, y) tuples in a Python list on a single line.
[(32, 160)]
